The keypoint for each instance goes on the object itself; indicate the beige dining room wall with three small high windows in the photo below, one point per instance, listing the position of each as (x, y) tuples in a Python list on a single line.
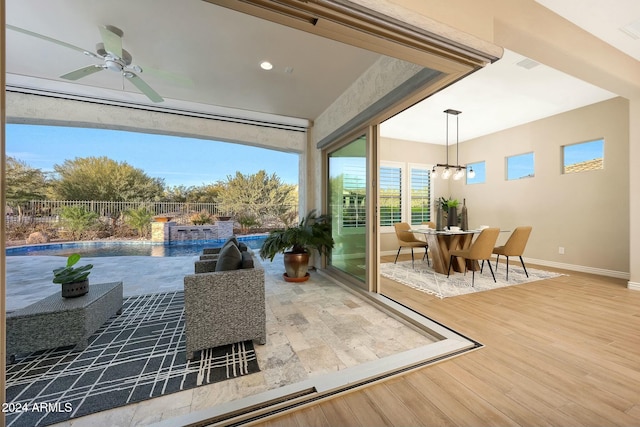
[(586, 213)]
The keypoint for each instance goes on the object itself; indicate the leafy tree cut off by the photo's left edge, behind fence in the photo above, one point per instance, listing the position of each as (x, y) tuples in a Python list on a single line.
[(23, 183)]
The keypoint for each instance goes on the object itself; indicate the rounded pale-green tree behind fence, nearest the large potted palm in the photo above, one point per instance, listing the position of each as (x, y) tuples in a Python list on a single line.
[(256, 195)]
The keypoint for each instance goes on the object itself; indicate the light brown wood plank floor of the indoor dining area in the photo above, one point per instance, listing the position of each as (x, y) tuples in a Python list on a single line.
[(559, 352)]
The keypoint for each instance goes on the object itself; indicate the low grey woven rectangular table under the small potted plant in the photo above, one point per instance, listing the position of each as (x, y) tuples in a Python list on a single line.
[(58, 322)]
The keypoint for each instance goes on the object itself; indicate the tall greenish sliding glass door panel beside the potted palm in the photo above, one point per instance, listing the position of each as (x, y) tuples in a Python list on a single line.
[(347, 167)]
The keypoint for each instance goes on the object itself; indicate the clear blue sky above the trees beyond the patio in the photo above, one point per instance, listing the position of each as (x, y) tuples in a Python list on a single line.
[(179, 161)]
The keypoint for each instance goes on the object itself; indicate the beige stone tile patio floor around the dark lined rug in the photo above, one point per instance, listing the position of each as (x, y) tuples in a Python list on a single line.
[(313, 328)]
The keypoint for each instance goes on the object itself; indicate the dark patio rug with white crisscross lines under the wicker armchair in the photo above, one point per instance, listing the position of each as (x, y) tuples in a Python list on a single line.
[(135, 356)]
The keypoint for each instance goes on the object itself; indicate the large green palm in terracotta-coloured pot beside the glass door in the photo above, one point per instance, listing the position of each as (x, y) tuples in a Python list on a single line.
[(296, 242)]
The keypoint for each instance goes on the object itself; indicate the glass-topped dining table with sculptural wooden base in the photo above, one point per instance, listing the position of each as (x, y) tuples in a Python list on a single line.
[(442, 242)]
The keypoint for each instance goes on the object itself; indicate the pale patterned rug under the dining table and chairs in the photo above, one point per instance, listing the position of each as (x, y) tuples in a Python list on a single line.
[(424, 279)]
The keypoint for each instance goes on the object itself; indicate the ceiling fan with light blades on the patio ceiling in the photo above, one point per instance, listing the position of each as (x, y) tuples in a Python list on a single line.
[(111, 54)]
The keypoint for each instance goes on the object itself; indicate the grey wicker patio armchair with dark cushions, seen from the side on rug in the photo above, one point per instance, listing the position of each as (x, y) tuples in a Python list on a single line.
[(225, 301)]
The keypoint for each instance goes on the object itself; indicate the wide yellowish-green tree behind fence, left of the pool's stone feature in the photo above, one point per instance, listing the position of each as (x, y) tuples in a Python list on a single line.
[(101, 178)]
